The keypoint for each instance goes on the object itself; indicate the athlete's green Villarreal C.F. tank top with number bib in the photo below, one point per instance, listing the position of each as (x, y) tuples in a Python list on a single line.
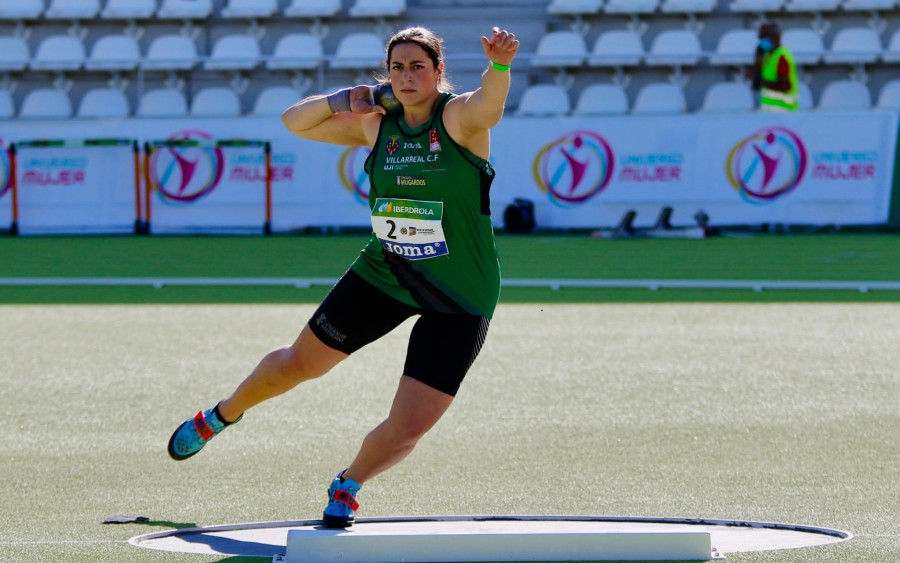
[(432, 243)]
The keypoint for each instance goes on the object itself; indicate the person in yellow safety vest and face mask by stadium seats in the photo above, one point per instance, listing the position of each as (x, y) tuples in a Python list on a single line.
[(773, 72)]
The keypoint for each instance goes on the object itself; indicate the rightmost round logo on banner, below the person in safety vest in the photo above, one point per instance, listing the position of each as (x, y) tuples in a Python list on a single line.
[(766, 165)]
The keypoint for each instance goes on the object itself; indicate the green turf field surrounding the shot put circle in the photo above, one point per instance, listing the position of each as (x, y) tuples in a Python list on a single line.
[(774, 406)]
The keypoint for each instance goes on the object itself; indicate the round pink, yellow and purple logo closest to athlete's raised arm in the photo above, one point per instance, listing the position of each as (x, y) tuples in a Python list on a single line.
[(574, 168)]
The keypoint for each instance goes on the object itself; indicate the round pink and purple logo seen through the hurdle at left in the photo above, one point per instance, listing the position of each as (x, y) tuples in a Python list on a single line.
[(186, 174)]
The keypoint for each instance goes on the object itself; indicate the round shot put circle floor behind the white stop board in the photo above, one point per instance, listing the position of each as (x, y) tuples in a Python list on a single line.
[(729, 536)]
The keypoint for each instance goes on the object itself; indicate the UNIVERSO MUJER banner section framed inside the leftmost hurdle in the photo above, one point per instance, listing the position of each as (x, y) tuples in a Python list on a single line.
[(76, 187)]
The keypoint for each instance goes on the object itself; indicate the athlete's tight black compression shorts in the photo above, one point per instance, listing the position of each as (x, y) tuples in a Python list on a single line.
[(442, 346)]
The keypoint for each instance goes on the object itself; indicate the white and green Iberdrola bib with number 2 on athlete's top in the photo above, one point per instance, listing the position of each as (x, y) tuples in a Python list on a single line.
[(411, 229)]
